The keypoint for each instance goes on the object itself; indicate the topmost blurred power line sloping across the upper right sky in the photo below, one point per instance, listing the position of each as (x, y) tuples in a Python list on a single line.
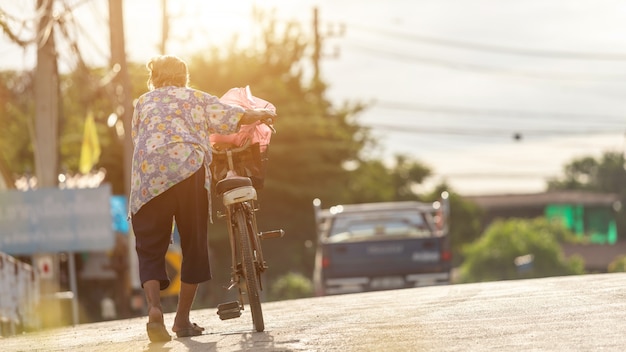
[(499, 49)]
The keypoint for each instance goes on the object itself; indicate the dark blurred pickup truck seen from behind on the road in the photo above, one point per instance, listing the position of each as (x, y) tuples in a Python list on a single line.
[(381, 246)]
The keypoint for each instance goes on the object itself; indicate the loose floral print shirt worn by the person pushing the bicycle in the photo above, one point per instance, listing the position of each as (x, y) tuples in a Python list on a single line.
[(170, 133)]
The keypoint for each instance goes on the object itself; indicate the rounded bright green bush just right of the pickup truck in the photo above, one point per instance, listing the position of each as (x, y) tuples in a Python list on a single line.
[(493, 256)]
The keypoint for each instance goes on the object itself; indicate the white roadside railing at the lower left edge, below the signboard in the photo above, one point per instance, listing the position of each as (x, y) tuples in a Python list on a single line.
[(19, 296)]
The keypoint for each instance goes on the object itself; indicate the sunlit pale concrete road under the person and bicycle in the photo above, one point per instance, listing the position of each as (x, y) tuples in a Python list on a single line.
[(575, 313)]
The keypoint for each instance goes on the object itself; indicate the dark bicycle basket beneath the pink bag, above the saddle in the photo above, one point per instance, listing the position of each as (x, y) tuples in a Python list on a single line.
[(250, 162)]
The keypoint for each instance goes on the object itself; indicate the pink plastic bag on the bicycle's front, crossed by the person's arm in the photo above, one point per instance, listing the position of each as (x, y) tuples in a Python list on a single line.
[(257, 132)]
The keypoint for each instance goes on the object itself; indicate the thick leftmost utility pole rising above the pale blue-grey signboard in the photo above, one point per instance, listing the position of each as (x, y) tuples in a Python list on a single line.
[(46, 100)]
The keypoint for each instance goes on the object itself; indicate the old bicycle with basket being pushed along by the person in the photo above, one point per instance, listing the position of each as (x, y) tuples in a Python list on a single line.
[(238, 190)]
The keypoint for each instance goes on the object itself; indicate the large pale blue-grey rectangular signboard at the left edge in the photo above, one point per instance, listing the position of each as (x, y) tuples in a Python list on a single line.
[(56, 220)]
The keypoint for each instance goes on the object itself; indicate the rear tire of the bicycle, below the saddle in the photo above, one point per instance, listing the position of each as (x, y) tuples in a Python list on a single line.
[(249, 271)]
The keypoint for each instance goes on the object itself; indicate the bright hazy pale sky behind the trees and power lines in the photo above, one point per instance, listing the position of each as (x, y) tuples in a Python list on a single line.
[(448, 82)]
